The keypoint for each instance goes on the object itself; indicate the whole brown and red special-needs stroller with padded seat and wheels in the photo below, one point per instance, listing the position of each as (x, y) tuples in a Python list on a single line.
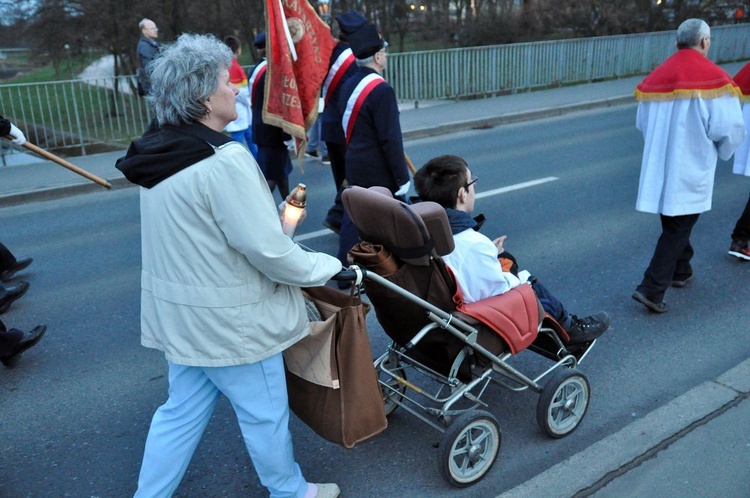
[(442, 360)]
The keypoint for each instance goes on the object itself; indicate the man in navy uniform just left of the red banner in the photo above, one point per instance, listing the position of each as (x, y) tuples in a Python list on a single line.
[(273, 155)]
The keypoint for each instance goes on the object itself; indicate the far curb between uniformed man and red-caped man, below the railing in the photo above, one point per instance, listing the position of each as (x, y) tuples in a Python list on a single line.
[(515, 117)]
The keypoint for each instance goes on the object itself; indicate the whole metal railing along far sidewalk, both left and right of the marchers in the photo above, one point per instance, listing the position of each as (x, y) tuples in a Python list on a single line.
[(88, 112)]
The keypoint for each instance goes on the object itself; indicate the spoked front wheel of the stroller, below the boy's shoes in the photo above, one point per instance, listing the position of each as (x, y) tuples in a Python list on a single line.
[(563, 402)]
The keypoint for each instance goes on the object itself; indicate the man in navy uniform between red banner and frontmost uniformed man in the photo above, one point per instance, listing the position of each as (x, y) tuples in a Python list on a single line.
[(341, 67)]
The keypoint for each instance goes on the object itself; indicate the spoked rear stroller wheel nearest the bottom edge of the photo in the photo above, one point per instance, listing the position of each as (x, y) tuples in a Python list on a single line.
[(469, 447)]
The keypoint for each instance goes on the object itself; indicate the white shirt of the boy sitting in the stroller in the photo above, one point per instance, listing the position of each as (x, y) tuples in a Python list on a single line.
[(476, 268)]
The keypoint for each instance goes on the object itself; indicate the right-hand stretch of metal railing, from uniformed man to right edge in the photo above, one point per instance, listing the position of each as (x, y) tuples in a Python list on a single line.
[(479, 71)]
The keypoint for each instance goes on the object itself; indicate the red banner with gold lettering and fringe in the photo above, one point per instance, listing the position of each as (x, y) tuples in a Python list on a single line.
[(293, 86)]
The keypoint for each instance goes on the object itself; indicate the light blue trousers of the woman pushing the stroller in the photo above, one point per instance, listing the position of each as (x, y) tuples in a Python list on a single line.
[(258, 395)]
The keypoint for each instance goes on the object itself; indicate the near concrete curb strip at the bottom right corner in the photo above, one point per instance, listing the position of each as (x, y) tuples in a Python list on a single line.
[(591, 469)]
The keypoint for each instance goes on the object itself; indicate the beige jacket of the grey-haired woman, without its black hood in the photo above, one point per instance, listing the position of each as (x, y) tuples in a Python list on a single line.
[(220, 282)]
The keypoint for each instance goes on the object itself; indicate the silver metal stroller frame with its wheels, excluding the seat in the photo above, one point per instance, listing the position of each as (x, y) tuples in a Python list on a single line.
[(561, 407)]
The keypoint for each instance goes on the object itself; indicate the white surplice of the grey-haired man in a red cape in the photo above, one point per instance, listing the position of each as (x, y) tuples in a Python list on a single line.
[(682, 140)]
